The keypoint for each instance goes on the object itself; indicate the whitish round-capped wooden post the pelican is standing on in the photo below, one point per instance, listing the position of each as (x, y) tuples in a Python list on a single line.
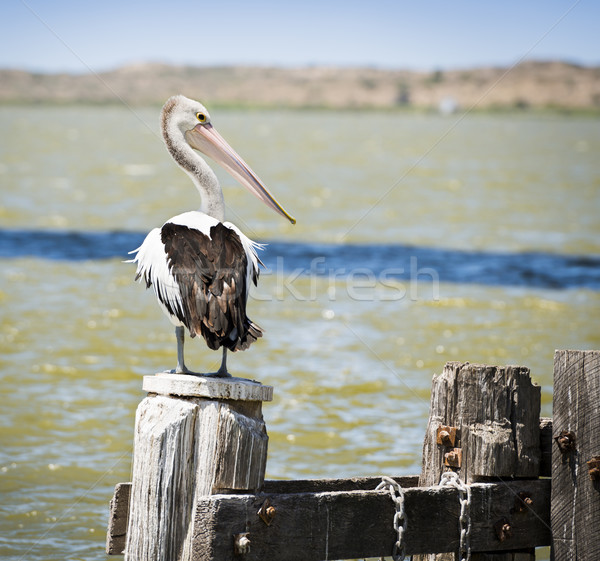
[(194, 436)]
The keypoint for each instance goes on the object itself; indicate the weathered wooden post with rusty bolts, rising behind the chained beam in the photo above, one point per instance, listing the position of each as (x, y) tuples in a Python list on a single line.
[(484, 424)]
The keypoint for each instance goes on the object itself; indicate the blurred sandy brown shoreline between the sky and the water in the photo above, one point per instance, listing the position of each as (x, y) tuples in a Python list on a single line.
[(531, 85)]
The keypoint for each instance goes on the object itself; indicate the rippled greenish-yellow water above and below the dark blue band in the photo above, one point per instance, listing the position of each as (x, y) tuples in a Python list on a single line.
[(351, 375)]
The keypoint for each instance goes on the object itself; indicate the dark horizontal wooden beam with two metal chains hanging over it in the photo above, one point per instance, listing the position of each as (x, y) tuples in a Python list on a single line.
[(355, 524)]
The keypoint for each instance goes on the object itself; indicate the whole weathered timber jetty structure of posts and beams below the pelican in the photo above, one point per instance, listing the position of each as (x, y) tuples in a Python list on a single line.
[(198, 491)]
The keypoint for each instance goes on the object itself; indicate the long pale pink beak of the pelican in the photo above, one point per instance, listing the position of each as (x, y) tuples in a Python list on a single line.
[(206, 139)]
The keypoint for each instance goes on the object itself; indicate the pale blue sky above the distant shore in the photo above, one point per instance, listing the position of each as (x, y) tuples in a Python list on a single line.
[(82, 36)]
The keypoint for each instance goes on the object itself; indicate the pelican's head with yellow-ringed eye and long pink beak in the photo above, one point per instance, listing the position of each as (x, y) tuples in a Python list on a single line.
[(193, 122)]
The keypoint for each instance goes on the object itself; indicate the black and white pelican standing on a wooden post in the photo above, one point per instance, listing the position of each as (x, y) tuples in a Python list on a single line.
[(199, 266)]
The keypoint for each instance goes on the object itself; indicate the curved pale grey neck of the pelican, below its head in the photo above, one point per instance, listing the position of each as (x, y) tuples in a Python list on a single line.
[(202, 175)]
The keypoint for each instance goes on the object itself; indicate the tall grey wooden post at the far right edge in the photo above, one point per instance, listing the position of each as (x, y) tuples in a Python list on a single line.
[(575, 510)]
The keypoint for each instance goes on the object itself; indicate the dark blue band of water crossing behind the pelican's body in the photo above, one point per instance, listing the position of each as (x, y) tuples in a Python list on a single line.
[(383, 261)]
